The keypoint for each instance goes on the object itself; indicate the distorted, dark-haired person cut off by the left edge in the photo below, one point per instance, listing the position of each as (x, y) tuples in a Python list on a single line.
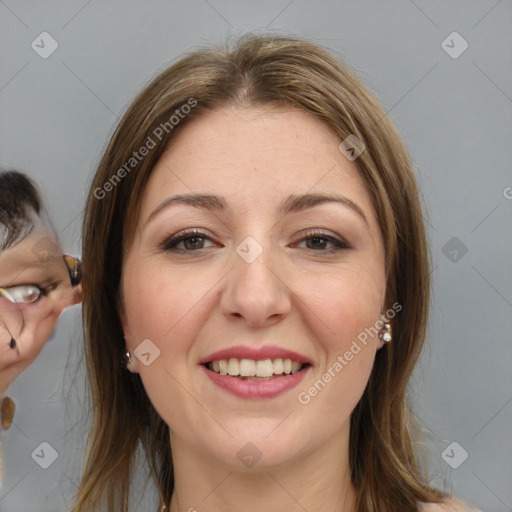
[(37, 282)]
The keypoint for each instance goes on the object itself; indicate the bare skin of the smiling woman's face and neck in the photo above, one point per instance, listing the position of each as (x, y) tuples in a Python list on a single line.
[(296, 295)]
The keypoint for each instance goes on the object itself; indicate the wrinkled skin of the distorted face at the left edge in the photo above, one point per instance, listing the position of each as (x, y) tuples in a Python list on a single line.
[(35, 260)]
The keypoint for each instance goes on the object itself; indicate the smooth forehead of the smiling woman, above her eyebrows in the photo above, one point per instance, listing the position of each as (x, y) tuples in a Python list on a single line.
[(254, 157)]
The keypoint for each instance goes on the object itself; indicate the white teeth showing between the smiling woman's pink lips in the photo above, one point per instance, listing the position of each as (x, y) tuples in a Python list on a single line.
[(256, 370)]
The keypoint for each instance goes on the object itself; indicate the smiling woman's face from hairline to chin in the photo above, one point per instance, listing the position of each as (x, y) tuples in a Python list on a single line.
[(269, 275)]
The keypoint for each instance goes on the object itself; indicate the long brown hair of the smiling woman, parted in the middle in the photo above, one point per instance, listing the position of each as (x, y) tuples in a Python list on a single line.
[(253, 71)]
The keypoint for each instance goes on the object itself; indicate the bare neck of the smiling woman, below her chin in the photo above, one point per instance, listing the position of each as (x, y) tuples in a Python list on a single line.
[(316, 481)]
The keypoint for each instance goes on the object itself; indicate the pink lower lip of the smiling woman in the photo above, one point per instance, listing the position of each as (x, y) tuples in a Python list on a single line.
[(256, 388)]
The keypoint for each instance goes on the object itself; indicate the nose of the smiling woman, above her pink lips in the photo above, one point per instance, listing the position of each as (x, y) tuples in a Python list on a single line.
[(256, 291)]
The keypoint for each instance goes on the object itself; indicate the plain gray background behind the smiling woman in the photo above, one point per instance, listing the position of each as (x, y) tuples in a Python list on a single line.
[(454, 113)]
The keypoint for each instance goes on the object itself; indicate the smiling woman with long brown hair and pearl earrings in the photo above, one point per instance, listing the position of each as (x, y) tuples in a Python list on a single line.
[(239, 266)]
